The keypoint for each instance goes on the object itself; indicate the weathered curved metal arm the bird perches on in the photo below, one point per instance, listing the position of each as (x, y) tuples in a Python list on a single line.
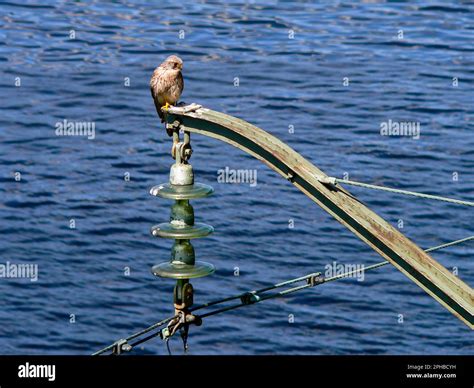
[(405, 255)]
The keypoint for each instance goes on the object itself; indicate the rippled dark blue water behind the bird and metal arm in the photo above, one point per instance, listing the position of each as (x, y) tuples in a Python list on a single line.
[(282, 82)]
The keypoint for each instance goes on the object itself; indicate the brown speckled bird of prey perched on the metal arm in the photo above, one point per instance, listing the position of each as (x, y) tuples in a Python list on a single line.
[(167, 84)]
